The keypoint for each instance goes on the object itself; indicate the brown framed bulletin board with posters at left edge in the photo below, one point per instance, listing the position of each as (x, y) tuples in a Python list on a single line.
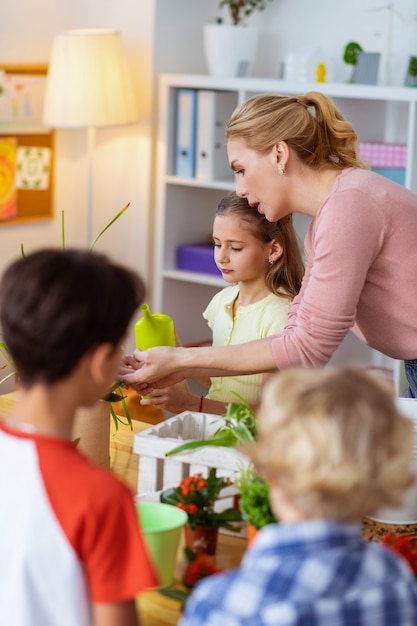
[(26, 146)]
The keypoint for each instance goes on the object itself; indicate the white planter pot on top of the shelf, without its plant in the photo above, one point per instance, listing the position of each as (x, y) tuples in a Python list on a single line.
[(230, 50)]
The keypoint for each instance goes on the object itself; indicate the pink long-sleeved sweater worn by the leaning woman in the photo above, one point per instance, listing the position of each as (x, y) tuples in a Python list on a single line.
[(361, 274)]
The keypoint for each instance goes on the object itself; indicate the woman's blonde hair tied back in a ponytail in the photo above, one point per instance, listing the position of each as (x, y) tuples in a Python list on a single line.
[(310, 124)]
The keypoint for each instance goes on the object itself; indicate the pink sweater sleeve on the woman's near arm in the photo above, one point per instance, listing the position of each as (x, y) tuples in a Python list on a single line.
[(341, 245)]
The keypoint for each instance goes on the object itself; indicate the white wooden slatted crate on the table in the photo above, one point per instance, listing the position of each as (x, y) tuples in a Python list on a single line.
[(157, 471)]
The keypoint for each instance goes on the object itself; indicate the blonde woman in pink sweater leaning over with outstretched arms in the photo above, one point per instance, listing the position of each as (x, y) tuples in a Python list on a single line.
[(298, 154)]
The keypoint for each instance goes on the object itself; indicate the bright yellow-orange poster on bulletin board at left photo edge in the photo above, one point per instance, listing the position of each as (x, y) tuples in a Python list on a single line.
[(8, 192)]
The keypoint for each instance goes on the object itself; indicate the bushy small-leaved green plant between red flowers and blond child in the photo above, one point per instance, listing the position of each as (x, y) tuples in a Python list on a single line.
[(254, 498)]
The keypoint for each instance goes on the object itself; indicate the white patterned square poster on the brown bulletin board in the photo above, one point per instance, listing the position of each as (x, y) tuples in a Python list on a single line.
[(33, 167)]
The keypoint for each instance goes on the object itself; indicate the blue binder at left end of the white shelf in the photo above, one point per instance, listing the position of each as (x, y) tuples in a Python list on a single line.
[(185, 132)]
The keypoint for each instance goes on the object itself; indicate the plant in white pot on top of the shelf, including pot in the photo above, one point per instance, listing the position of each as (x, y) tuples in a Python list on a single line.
[(230, 48)]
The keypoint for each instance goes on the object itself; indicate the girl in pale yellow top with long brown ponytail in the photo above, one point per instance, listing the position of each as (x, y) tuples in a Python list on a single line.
[(263, 264)]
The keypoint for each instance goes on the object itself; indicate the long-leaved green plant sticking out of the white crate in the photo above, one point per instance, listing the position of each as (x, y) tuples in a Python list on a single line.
[(238, 427)]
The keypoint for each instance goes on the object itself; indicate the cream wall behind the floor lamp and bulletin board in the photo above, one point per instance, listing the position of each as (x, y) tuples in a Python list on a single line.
[(122, 167)]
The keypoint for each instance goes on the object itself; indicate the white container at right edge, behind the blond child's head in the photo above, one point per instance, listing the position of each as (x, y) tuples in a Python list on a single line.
[(407, 513)]
